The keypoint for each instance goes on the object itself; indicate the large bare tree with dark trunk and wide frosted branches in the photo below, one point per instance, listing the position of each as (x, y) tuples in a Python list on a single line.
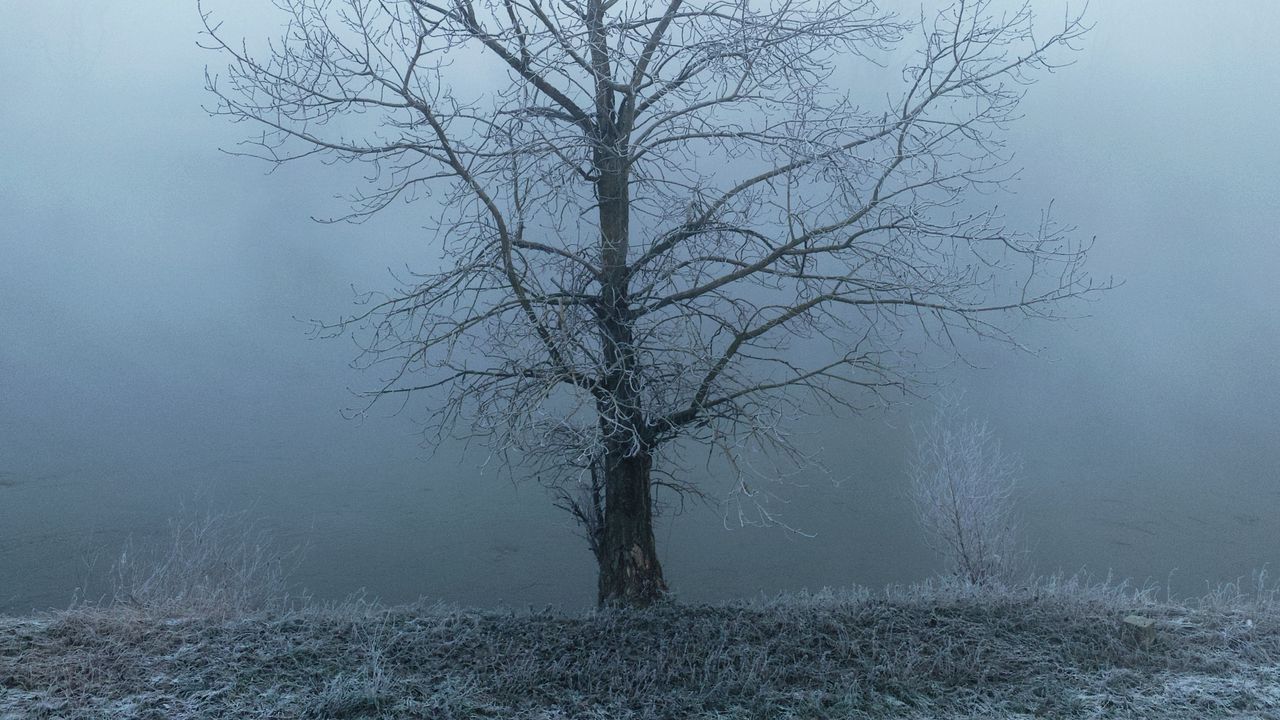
[(662, 222)]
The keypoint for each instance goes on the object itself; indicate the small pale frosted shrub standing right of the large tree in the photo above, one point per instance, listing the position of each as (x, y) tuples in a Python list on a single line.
[(963, 490)]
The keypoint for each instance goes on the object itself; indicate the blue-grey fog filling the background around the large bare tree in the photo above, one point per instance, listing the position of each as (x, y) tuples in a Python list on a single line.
[(154, 345)]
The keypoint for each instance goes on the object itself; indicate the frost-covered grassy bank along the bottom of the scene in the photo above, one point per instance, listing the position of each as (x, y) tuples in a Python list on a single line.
[(1054, 650)]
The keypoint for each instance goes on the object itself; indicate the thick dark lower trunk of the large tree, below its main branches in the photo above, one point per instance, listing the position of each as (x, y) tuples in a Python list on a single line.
[(630, 573)]
